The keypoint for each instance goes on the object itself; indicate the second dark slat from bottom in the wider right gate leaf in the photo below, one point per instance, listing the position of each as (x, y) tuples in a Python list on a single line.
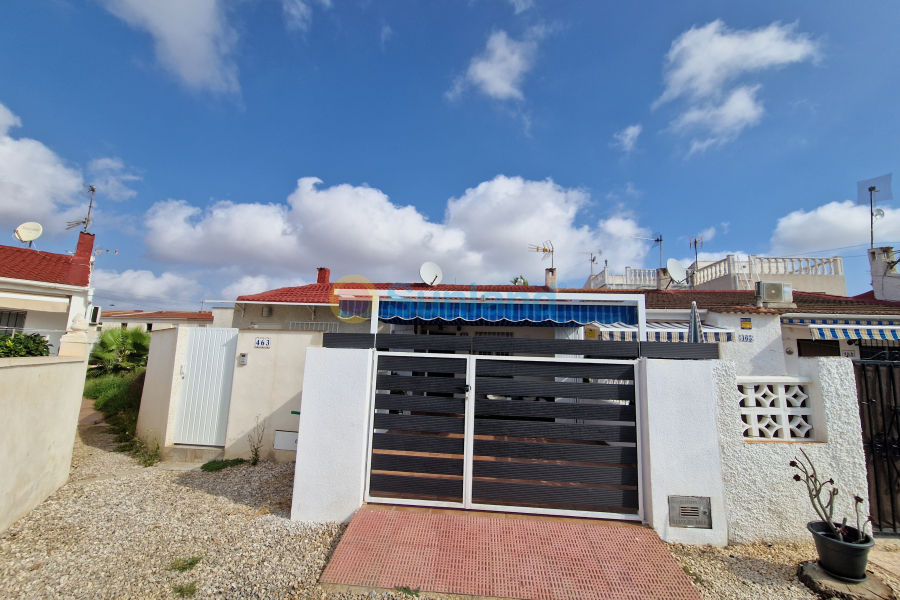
[(544, 472)]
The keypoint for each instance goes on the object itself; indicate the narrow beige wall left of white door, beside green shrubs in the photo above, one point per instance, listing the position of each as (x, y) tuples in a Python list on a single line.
[(162, 384)]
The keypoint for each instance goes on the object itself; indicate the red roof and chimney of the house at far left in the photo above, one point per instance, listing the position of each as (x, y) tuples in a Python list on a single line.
[(32, 265)]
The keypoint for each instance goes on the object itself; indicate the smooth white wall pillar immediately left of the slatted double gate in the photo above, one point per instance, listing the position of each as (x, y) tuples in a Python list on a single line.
[(332, 444)]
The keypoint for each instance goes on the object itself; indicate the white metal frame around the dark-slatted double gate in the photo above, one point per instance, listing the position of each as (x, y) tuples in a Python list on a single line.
[(469, 440)]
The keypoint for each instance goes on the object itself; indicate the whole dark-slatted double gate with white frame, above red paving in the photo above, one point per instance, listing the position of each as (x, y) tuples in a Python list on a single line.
[(557, 436)]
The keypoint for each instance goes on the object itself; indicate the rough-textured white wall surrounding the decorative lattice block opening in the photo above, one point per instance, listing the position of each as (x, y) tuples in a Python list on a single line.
[(763, 502)]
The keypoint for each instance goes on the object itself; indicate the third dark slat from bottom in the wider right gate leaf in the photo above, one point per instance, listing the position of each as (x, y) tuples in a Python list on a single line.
[(567, 452)]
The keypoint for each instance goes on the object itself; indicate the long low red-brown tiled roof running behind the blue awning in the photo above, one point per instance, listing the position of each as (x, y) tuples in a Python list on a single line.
[(726, 301)]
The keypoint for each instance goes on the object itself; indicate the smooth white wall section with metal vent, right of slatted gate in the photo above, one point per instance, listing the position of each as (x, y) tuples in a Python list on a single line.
[(680, 446)]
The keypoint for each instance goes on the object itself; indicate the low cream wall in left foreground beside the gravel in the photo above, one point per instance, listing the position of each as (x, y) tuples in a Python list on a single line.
[(40, 398)]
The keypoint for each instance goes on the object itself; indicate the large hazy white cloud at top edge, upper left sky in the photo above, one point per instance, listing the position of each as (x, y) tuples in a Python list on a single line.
[(192, 39)]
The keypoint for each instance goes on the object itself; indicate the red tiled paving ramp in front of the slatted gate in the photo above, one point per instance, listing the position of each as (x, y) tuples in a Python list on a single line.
[(495, 557)]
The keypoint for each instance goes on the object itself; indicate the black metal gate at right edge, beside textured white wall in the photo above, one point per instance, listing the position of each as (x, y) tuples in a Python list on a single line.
[(878, 391)]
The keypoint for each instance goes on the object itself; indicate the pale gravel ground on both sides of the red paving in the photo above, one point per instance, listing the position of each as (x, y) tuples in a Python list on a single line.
[(117, 538)]
